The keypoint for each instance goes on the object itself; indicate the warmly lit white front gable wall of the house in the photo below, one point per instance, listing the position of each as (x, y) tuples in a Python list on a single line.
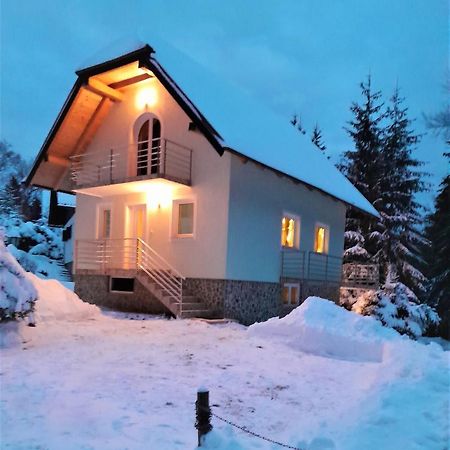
[(204, 255)]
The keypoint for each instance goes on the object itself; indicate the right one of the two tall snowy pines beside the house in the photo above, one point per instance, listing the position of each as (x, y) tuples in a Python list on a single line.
[(397, 237)]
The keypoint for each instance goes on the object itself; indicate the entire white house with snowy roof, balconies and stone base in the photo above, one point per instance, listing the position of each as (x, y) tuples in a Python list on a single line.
[(190, 196)]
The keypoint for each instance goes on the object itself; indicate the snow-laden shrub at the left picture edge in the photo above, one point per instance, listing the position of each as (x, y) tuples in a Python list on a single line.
[(17, 293)]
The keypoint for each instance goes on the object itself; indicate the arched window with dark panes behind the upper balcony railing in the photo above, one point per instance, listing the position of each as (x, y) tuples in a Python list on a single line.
[(149, 147)]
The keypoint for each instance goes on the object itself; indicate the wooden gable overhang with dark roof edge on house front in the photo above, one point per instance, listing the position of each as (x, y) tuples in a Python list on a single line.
[(89, 101)]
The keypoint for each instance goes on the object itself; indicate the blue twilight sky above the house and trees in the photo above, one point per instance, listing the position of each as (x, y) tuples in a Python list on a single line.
[(296, 55)]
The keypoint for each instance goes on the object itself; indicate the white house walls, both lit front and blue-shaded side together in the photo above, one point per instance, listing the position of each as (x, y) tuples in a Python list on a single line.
[(238, 206)]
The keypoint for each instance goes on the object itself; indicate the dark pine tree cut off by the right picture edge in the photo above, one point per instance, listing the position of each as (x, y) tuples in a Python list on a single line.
[(438, 257)]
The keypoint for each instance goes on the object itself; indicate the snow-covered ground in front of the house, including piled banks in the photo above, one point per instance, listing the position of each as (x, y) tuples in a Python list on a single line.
[(321, 378)]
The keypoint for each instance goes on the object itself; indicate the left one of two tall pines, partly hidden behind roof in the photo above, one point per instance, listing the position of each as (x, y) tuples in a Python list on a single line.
[(363, 167)]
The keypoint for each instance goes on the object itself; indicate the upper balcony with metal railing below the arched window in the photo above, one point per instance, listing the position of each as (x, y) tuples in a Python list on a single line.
[(162, 159)]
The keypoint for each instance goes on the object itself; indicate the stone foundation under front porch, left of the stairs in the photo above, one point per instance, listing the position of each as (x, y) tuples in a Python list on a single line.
[(95, 289)]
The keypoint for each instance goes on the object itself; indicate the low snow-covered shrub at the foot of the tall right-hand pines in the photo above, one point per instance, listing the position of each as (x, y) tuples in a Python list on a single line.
[(397, 307)]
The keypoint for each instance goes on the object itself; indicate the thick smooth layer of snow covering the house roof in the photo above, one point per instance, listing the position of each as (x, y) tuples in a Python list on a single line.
[(245, 124)]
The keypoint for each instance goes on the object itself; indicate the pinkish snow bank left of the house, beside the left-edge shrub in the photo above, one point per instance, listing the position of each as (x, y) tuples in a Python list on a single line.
[(57, 303)]
